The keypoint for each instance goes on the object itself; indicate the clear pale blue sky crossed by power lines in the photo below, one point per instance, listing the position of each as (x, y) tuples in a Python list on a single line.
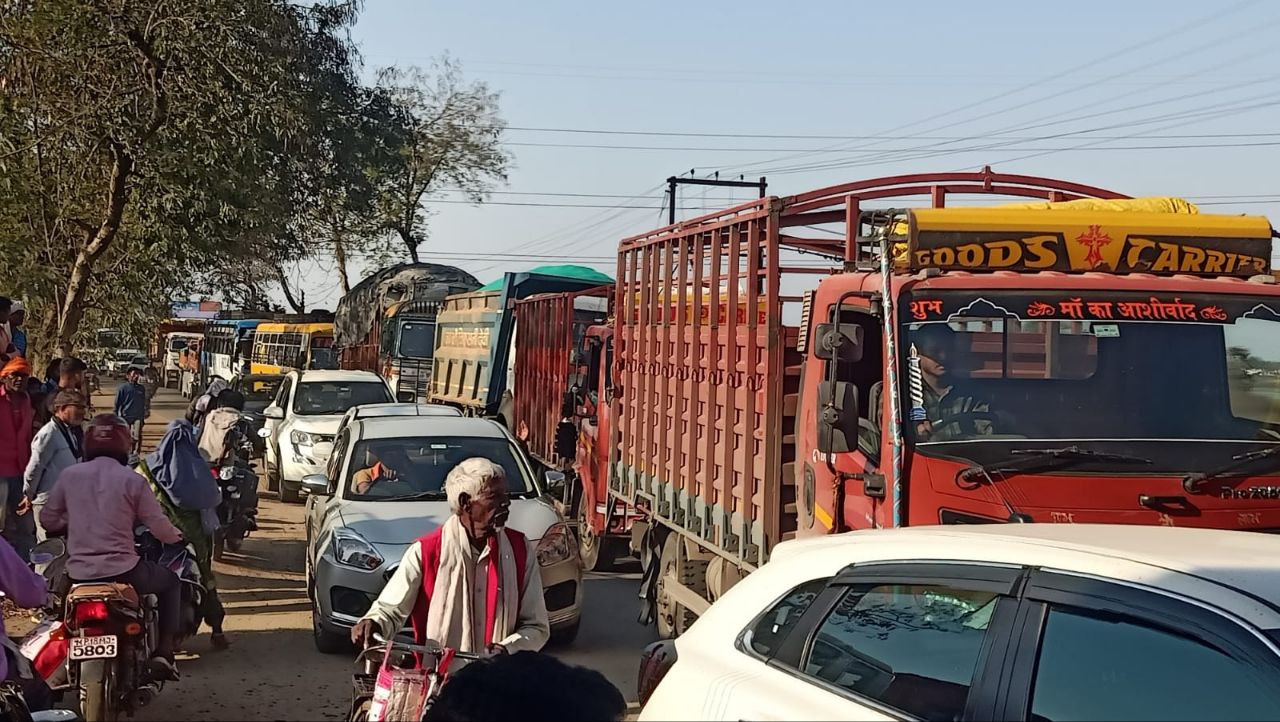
[(1060, 92)]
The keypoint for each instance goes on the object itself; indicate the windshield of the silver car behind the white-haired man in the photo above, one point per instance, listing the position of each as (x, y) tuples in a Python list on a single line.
[(417, 467)]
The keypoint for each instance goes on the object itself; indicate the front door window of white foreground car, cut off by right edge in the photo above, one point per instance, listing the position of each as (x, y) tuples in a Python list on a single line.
[(1095, 668)]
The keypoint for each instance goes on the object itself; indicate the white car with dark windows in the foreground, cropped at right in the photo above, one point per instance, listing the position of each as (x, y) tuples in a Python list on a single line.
[(1032, 622)]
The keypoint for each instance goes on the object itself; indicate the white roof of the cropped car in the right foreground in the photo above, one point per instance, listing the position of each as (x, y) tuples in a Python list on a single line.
[(1241, 570)]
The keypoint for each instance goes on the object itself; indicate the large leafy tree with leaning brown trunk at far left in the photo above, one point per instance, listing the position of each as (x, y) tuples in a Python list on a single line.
[(147, 147)]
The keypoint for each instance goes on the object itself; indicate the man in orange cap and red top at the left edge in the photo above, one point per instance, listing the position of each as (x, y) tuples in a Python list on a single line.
[(17, 429)]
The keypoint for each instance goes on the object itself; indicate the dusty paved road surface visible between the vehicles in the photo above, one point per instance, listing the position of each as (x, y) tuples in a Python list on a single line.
[(273, 671)]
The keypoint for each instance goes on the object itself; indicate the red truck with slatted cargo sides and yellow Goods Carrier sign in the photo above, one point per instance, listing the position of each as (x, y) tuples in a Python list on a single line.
[(816, 364)]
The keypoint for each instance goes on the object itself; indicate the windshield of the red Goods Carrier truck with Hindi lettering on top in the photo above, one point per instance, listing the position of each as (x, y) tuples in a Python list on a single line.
[(1077, 368)]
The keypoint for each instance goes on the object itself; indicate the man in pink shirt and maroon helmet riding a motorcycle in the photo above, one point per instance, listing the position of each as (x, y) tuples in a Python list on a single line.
[(98, 504)]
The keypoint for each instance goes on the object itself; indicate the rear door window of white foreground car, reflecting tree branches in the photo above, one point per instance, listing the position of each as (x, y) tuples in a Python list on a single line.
[(909, 647)]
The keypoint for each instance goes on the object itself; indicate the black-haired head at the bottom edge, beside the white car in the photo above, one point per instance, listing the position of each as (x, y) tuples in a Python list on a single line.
[(527, 686)]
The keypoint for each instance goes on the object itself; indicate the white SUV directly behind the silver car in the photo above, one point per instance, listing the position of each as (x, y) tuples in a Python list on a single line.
[(301, 422)]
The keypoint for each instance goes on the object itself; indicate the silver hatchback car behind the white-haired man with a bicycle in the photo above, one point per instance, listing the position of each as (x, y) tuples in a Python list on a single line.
[(355, 541)]
